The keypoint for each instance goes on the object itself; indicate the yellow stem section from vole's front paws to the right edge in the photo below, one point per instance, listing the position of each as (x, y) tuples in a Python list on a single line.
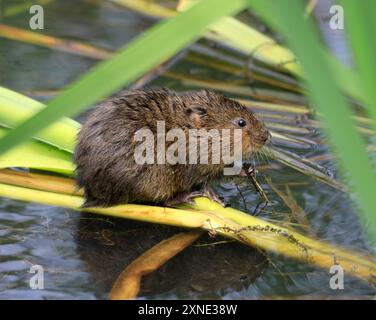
[(301, 247)]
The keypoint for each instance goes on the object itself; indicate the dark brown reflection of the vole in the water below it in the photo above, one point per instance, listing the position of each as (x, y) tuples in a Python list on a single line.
[(206, 267)]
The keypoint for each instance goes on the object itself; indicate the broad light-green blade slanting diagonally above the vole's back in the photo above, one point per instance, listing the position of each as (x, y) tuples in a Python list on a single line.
[(168, 36)]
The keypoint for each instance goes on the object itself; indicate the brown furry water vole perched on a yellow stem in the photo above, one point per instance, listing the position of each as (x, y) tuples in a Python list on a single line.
[(105, 151)]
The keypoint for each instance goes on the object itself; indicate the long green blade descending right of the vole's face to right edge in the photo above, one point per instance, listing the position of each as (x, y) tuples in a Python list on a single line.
[(287, 17)]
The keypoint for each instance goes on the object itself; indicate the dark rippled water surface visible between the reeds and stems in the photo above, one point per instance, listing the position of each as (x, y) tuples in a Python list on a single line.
[(37, 234)]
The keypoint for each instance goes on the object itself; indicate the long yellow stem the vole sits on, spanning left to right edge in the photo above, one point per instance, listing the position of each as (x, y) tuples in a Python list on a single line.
[(214, 218)]
